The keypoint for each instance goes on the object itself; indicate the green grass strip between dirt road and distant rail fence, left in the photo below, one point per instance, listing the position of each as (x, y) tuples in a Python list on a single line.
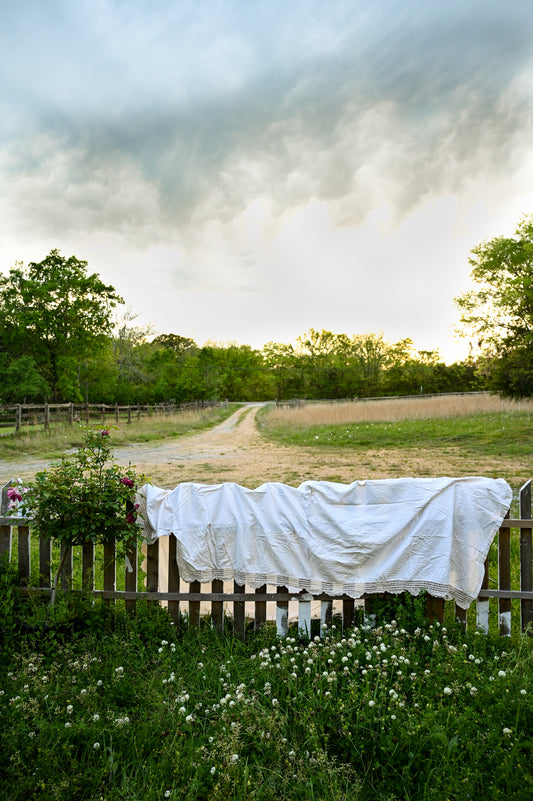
[(62, 437)]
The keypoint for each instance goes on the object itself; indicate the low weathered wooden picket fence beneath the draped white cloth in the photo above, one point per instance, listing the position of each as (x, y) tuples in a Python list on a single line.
[(220, 603)]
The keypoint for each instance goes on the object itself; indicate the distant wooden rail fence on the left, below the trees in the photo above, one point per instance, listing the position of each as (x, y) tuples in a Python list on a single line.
[(19, 415)]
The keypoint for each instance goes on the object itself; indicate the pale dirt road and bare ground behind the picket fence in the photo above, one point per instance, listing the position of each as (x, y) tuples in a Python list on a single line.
[(235, 451)]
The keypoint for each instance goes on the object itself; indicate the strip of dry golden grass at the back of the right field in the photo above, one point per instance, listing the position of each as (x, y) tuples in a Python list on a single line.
[(386, 410)]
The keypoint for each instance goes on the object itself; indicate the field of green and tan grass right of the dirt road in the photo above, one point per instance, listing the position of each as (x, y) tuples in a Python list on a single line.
[(477, 424)]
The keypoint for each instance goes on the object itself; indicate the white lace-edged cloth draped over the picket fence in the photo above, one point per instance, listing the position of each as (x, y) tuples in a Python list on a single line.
[(376, 536)]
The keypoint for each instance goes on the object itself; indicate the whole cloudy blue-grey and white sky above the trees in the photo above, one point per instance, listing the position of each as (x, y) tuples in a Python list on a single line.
[(246, 170)]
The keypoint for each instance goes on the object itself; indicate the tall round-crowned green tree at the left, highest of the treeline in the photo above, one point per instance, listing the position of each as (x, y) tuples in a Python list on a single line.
[(58, 314)]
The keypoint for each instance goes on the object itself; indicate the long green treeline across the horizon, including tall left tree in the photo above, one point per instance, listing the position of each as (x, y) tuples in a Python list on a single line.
[(59, 343)]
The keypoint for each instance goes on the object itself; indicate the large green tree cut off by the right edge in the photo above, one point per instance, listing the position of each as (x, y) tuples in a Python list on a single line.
[(499, 312)]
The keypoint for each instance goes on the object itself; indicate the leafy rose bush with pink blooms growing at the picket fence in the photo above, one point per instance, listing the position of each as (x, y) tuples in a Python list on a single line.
[(85, 497)]
